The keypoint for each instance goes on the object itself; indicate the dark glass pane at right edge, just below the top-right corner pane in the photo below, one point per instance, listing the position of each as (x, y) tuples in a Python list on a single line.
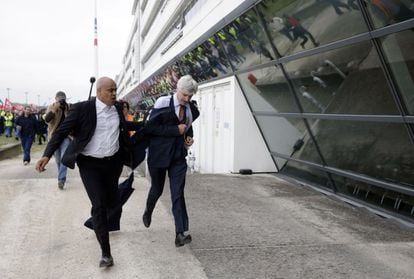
[(398, 48)]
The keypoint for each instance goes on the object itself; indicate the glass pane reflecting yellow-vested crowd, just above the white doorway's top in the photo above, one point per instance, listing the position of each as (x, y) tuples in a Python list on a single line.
[(245, 42)]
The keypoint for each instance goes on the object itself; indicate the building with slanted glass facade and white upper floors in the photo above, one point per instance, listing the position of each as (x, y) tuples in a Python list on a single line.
[(327, 85)]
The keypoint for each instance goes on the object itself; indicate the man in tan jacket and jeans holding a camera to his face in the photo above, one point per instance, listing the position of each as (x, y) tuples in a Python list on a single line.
[(55, 114)]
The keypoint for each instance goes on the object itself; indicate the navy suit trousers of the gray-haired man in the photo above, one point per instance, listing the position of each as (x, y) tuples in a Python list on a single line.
[(176, 174)]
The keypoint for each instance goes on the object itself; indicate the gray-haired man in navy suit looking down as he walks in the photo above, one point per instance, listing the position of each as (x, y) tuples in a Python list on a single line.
[(171, 134)]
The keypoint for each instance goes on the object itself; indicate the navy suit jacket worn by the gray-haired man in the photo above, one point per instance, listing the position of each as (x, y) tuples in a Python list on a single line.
[(166, 144)]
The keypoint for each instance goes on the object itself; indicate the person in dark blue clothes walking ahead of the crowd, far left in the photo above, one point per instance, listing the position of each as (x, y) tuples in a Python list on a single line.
[(27, 127)]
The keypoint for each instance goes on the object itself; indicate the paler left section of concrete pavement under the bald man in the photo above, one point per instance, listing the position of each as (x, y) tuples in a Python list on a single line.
[(42, 232)]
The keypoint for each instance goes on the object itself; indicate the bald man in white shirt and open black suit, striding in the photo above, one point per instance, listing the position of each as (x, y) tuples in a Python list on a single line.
[(100, 134)]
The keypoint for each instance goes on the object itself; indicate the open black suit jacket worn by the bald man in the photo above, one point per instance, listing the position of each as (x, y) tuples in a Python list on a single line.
[(81, 122)]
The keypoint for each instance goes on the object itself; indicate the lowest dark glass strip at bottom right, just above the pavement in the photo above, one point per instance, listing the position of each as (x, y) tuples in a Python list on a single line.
[(391, 200)]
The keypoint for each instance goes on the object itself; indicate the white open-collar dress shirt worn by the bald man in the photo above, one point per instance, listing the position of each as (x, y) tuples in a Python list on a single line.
[(105, 140)]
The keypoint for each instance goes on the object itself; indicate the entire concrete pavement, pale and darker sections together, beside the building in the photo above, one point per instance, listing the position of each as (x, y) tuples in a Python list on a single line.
[(242, 226)]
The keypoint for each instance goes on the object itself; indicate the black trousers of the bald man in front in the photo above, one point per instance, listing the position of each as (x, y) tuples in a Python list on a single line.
[(100, 178)]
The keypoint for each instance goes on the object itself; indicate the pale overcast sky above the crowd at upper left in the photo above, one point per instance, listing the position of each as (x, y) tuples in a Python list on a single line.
[(47, 46)]
